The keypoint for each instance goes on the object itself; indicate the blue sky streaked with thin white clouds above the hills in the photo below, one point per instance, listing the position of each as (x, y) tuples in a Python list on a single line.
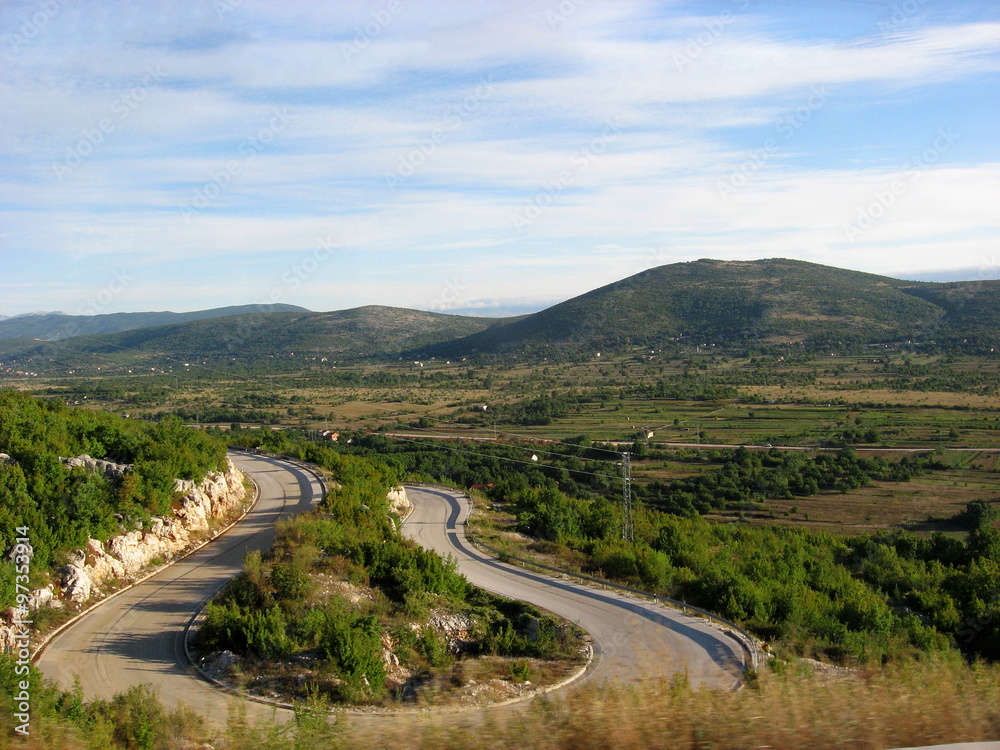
[(483, 157)]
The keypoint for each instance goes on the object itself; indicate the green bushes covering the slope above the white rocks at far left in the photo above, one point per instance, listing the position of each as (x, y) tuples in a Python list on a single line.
[(63, 507)]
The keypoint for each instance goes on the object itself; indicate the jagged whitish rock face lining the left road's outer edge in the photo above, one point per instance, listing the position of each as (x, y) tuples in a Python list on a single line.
[(122, 558)]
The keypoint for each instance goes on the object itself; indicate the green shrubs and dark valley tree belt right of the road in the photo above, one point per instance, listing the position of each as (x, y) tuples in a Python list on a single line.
[(810, 593)]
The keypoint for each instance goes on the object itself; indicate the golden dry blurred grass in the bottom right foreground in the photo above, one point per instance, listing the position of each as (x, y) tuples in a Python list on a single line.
[(917, 705)]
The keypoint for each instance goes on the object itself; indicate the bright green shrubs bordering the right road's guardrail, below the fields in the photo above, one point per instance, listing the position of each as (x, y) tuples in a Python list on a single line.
[(869, 598)]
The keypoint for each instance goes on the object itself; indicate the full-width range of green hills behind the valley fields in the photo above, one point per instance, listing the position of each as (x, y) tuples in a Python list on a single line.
[(743, 304)]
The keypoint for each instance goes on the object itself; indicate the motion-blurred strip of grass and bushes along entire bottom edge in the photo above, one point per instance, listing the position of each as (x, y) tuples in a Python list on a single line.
[(935, 701)]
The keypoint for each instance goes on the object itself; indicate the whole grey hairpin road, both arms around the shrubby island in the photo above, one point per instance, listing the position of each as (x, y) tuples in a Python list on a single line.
[(137, 637)]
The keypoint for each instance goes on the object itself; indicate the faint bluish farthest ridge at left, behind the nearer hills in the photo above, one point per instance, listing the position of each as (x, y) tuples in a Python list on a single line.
[(57, 326)]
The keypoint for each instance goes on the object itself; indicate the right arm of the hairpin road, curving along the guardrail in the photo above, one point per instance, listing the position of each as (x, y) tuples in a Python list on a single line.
[(635, 640)]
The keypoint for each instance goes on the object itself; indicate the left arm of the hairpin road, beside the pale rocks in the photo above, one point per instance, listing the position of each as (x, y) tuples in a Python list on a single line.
[(138, 636)]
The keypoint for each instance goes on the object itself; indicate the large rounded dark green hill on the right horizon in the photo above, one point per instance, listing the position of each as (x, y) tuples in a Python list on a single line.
[(726, 302)]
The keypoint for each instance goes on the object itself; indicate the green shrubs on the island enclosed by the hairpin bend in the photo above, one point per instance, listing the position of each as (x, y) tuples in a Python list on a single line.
[(274, 612)]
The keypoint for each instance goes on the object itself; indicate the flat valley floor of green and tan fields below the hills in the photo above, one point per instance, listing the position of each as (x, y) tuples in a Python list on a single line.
[(886, 404)]
